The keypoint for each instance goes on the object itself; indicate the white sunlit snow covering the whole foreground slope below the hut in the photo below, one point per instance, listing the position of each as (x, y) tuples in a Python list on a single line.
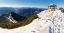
[(40, 25)]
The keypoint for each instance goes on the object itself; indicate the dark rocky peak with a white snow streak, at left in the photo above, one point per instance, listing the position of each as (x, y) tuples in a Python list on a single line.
[(10, 17)]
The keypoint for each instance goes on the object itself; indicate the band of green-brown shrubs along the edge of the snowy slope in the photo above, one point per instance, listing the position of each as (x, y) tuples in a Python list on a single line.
[(20, 23)]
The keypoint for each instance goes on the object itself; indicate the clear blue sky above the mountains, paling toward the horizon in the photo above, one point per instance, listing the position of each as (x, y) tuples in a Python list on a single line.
[(30, 3)]
